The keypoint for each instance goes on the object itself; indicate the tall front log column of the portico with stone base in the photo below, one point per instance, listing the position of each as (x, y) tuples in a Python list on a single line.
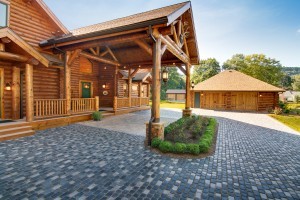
[(155, 128)]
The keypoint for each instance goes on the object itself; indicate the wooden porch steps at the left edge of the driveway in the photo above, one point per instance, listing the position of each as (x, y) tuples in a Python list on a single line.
[(13, 130)]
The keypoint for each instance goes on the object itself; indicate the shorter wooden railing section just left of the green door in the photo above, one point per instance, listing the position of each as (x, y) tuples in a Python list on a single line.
[(82, 105)]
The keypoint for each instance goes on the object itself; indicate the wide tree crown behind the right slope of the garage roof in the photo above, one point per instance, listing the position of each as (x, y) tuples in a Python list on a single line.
[(258, 66)]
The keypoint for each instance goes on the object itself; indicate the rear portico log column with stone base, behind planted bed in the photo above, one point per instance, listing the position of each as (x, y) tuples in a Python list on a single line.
[(187, 111)]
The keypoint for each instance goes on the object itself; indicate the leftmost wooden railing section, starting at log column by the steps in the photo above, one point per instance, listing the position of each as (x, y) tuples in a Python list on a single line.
[(50, 107)]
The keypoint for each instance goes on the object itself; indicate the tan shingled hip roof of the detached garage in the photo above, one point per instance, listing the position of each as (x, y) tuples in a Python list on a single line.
[(231, 80)]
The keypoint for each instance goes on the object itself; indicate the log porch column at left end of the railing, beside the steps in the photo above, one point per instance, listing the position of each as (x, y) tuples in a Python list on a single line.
[(29, 92)]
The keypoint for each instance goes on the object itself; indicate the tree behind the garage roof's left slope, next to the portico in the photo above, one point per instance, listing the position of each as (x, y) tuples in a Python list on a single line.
[(205, 70)]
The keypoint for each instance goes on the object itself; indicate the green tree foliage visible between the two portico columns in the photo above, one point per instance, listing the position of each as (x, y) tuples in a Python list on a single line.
[(176, 81)]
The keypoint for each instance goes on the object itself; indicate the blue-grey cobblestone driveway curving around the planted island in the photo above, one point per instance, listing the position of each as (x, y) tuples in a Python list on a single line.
[(78, 161)]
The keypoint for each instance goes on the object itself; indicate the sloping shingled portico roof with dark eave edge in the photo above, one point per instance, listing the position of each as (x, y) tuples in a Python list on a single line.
[(165, 15)]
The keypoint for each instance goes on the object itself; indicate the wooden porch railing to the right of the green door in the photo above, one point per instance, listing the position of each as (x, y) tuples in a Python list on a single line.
[(120, 103)]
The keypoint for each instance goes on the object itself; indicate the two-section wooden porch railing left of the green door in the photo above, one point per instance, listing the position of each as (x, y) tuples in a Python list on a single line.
[(44, 108)]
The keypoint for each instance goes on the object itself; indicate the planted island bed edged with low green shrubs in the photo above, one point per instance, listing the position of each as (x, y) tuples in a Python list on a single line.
[(188, 137)]
